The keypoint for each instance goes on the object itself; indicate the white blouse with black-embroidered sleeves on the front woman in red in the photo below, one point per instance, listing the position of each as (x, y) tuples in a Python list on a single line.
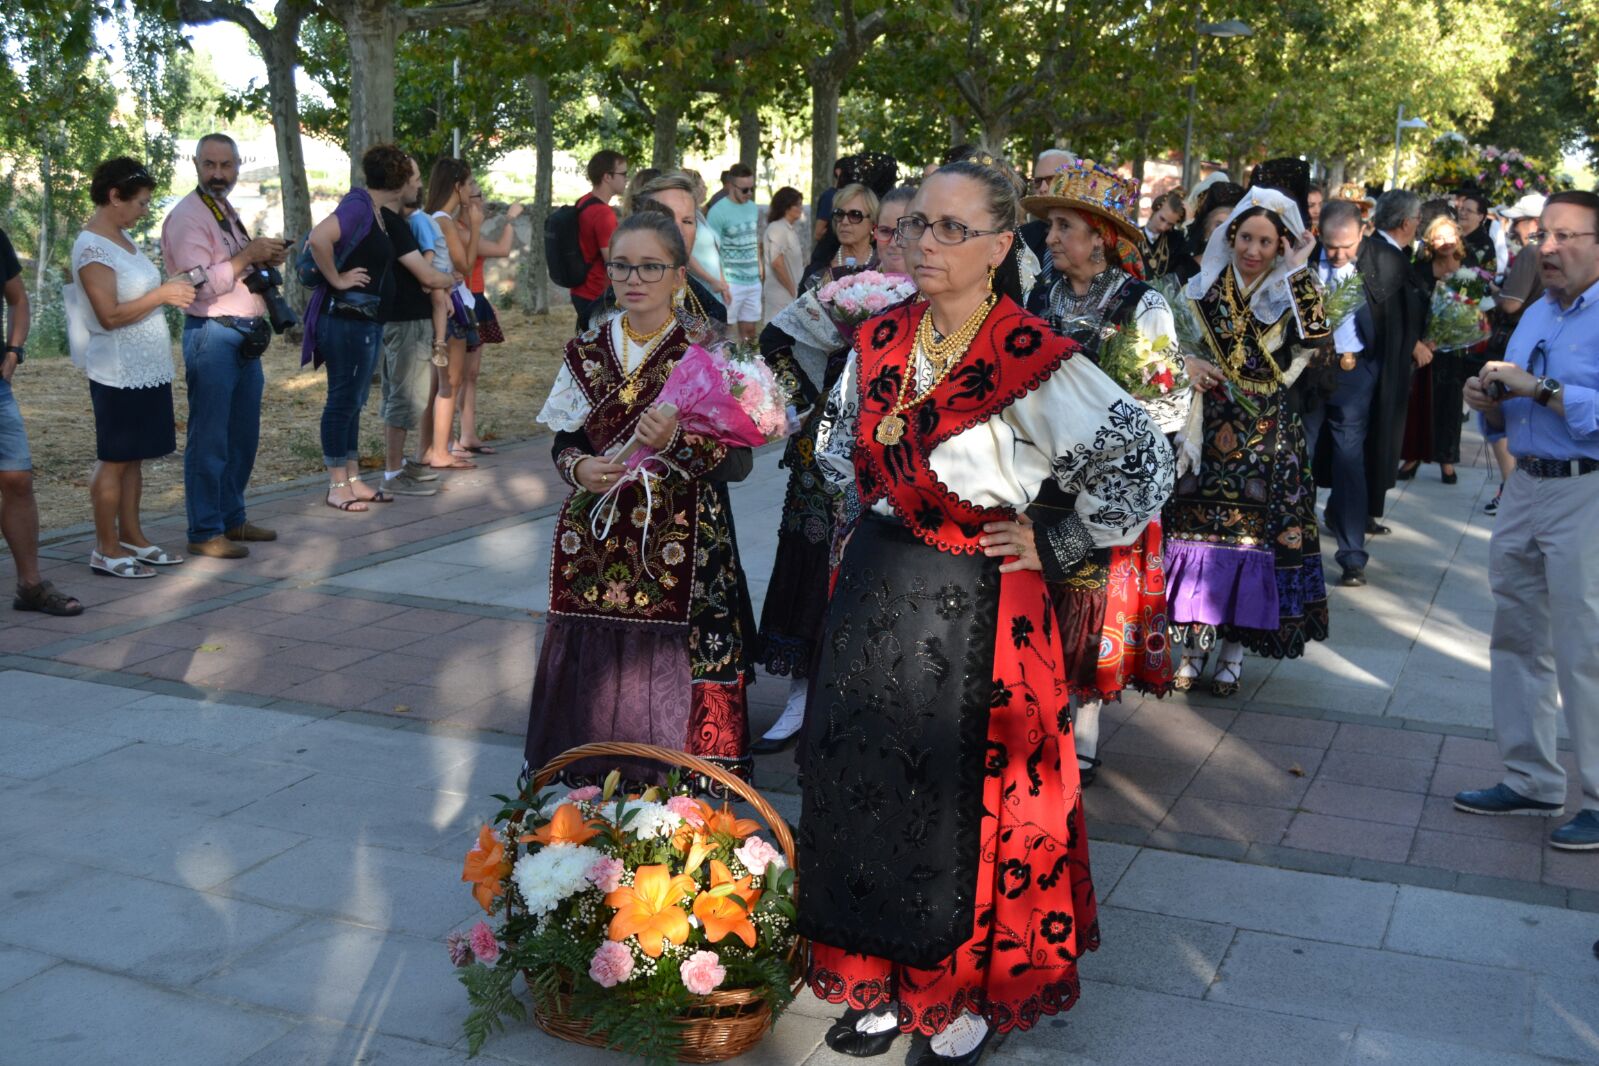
[(1077, 428)]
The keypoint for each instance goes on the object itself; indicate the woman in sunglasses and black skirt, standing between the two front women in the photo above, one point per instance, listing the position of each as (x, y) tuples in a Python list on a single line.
[(807, 338)]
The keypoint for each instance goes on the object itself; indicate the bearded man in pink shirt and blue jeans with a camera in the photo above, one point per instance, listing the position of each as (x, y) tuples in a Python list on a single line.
[(226, 332)]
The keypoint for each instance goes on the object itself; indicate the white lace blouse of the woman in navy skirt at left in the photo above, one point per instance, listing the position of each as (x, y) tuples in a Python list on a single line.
[(138, 356)]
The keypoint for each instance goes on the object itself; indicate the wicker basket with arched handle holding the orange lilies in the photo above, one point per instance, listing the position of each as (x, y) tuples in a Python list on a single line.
[(724, 1024)]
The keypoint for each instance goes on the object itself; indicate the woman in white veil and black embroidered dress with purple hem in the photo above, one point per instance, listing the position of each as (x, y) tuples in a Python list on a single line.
[(1243, 551)]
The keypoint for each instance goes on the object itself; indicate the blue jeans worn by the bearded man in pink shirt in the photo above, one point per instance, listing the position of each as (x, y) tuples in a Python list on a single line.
[(225, 428)]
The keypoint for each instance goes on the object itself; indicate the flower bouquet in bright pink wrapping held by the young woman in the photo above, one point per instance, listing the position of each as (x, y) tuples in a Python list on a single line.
[(725, 394)]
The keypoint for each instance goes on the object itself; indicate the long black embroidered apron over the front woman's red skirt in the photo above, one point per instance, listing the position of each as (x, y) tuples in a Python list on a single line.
[(896, 739)]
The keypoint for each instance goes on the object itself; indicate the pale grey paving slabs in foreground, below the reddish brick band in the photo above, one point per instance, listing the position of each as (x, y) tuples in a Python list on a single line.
[(213, 885)]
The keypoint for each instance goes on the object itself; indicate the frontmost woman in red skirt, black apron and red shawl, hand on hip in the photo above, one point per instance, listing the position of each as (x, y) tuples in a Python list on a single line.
[(946, 883)]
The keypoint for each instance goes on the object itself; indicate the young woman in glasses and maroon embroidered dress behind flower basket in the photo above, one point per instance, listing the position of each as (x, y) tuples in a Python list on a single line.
[(645, 638)]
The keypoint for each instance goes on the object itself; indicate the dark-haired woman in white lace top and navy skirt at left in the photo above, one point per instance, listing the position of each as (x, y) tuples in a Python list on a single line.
[(129, 360)]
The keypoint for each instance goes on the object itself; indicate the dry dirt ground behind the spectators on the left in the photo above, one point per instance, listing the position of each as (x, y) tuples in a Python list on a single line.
[(55, 402)]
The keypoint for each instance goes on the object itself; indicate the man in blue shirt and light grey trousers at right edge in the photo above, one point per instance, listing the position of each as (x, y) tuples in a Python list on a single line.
[(1542, 562)]
